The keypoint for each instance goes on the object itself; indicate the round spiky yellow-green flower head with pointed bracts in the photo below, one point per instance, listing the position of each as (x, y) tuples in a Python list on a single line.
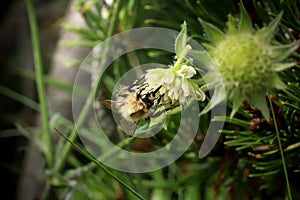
[(247, 61)]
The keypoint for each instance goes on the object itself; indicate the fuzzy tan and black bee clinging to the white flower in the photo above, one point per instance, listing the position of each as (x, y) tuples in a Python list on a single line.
[(135, 102)]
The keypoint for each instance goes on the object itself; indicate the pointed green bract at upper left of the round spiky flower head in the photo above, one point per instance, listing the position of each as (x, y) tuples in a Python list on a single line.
[(214, 34)]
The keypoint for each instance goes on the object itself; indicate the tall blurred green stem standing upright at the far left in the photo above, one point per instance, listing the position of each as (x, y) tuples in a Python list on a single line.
[(46, 133)]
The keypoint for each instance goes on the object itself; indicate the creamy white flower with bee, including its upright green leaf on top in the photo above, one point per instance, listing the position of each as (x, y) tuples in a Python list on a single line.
[(175, 83)]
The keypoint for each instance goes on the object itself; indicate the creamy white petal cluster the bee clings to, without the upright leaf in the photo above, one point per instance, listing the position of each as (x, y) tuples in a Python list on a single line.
[(176, 84)]
